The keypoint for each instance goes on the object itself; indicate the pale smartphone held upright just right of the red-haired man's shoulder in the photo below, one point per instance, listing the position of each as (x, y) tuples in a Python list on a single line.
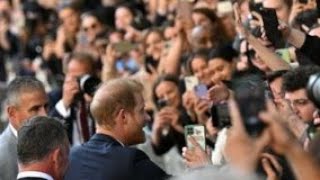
[(198, 133)]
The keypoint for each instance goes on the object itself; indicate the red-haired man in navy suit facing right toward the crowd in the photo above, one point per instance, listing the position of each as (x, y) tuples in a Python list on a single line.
[(118, 110)]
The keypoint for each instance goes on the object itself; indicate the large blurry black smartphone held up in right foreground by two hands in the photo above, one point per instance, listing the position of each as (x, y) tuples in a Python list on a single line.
[(249, 92)]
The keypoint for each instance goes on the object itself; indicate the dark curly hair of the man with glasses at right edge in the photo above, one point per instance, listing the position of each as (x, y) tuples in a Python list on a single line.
[(298, 78)]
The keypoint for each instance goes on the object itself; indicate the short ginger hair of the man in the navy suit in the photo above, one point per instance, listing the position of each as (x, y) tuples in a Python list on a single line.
[(111, 97)]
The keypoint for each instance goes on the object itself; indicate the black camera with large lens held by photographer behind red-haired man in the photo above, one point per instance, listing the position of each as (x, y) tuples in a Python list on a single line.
[(89, 84)]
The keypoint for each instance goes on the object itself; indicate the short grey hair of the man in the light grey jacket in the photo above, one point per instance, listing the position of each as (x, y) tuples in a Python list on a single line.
[(20, 85)]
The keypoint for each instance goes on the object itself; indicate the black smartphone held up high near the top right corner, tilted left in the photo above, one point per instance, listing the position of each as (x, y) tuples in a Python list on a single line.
[(271, 24)]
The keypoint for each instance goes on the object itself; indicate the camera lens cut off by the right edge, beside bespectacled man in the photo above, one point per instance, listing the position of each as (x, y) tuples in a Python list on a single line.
[(313, 89)]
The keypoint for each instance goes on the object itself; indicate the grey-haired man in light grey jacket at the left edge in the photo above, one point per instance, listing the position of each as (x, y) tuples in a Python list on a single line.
[(25, 98)]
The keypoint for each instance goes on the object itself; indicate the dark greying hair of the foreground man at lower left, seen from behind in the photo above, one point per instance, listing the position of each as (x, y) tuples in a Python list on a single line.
[(38, 137)]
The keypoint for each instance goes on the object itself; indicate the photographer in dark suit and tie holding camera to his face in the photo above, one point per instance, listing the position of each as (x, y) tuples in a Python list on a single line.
[(71, 99)]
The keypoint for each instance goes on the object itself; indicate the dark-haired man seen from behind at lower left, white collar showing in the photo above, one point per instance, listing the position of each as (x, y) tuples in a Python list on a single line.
[(43, 149)]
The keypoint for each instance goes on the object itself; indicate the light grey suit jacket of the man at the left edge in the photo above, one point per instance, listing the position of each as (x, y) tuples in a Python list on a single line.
[(8, 155)]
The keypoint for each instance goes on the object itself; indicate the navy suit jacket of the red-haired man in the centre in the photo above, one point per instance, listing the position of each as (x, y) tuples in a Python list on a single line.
[(102, 157)]
